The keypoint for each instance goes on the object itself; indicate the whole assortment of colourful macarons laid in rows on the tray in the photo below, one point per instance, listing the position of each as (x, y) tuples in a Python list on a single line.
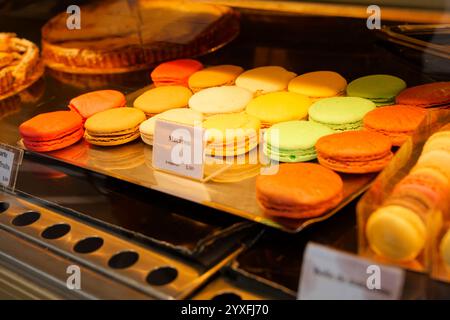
[(347, 127)]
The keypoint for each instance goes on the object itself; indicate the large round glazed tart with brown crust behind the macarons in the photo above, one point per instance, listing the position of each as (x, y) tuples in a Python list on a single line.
[(115, 37)]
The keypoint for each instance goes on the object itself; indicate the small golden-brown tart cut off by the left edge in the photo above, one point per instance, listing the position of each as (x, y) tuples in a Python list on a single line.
[(19, 64)]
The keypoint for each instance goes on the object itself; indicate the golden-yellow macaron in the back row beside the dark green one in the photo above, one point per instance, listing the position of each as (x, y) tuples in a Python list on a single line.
[(319, 84)]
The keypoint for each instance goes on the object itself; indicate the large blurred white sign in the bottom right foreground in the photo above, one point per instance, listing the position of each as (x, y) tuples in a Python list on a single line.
[(328, 274)]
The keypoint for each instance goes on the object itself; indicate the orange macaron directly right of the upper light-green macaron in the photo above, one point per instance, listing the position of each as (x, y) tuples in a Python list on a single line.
[(397, 122)]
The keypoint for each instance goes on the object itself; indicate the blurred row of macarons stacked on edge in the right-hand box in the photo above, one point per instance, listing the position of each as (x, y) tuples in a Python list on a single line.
[(400, 229)]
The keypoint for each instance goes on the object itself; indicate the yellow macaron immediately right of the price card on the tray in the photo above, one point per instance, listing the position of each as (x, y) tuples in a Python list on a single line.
[(231, 134)]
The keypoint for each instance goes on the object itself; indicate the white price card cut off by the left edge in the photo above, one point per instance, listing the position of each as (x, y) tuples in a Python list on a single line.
[(10, 161)]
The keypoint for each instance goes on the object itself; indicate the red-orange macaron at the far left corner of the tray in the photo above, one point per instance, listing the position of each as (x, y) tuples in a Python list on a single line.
[(52, 131)]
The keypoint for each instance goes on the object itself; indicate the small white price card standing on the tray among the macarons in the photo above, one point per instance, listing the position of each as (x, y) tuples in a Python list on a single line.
[(179, 149)]
